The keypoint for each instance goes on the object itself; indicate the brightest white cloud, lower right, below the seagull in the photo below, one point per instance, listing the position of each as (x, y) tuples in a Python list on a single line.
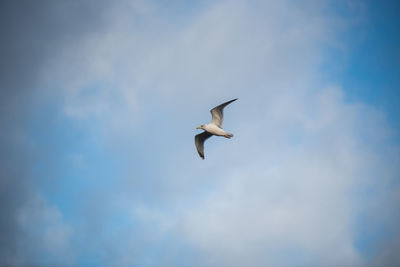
[(298, 198)]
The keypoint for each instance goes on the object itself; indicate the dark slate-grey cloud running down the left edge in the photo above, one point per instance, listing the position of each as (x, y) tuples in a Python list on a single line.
[(32, 32)]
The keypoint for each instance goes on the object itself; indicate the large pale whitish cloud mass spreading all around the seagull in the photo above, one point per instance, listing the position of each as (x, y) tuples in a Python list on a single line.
[(285, 192)]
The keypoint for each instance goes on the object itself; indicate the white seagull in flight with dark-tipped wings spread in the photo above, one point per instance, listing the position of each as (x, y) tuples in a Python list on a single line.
[(213, 128)]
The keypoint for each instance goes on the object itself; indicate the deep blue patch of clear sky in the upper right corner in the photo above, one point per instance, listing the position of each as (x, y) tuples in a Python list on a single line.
[(373, 61)]
